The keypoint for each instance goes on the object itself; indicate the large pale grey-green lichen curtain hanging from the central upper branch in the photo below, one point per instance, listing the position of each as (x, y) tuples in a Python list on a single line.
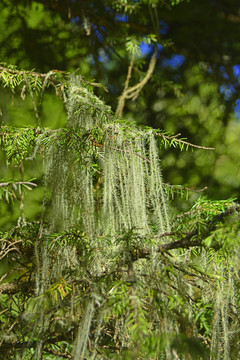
[(131, 194)]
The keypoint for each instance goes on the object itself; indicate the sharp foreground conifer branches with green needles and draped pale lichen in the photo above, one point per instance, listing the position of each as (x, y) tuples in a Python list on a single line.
[(106, 271)]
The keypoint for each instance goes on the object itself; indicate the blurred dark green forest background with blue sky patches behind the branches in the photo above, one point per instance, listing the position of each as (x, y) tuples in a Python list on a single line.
[(194, 89)]
